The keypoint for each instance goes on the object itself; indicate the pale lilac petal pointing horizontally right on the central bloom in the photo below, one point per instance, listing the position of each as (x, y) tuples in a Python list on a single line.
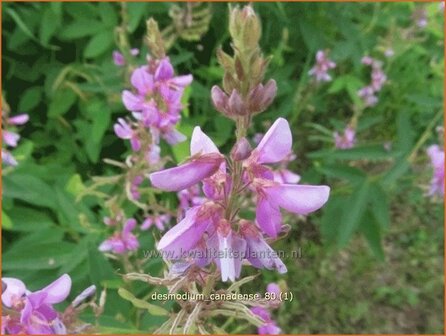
[(300, 199)]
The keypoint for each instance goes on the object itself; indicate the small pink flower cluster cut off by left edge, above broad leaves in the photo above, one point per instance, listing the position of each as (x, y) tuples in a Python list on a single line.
[(10, 137)]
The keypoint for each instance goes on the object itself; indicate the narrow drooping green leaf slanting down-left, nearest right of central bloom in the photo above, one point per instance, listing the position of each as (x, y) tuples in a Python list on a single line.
[(353, 213)]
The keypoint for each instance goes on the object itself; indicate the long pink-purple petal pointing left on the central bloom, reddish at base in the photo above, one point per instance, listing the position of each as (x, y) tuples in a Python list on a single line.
[(188, 174)]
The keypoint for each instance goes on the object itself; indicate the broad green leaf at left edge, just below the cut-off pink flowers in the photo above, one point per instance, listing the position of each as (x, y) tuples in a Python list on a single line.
[(29, 189)]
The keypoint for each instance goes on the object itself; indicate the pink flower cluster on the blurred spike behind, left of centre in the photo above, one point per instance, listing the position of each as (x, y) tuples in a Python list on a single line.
[(155, 104)]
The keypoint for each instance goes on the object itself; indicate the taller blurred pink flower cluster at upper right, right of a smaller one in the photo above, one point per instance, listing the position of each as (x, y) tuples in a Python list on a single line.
[(378, 78)]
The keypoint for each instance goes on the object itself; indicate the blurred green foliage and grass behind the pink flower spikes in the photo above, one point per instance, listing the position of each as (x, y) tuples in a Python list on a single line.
[(375, 269)]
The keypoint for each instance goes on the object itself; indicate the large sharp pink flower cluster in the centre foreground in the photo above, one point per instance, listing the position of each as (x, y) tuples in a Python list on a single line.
[(212, 231)]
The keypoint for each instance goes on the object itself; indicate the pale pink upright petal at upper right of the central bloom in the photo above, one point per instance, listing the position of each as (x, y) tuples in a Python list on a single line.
[(276, 144)]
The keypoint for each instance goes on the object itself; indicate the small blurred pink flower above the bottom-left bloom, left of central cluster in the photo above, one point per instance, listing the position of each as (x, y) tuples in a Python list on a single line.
[(121, 242)]
